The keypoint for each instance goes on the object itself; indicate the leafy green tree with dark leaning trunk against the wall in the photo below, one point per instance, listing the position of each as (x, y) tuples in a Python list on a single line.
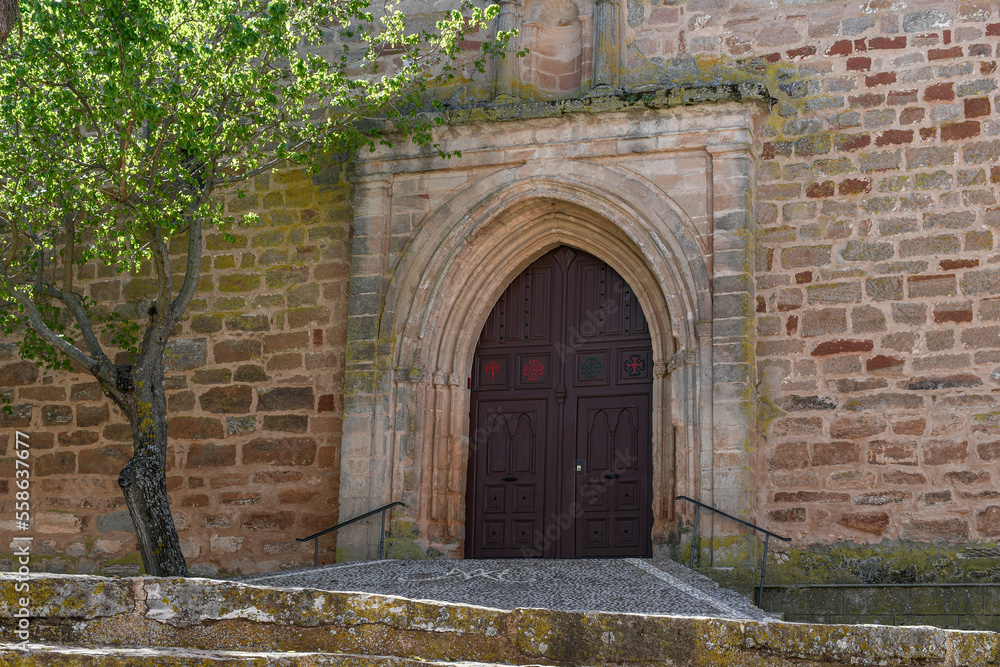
[(119, 121)]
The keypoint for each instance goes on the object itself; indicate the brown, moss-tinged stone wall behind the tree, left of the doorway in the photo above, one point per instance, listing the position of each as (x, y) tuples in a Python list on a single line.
[(254, 390)]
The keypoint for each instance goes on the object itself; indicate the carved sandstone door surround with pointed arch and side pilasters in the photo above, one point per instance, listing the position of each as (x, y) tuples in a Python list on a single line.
[(437, 241)]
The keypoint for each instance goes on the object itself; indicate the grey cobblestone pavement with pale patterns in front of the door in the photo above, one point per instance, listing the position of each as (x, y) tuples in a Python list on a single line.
[(629, 585)]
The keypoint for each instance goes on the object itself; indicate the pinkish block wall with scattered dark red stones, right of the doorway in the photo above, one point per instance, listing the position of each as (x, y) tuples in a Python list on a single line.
[(877, 310)]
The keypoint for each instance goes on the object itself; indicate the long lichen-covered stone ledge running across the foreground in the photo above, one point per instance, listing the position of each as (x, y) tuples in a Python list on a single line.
[(200, 614)]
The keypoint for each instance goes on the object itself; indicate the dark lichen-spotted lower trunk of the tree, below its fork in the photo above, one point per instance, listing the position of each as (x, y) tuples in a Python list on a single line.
[(144, 478)]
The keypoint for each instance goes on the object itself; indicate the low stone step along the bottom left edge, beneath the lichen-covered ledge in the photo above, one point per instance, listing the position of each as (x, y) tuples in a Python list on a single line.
[(43, 655)]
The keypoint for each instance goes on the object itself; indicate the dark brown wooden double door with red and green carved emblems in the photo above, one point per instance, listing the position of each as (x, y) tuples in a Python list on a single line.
[(560, 462)]
